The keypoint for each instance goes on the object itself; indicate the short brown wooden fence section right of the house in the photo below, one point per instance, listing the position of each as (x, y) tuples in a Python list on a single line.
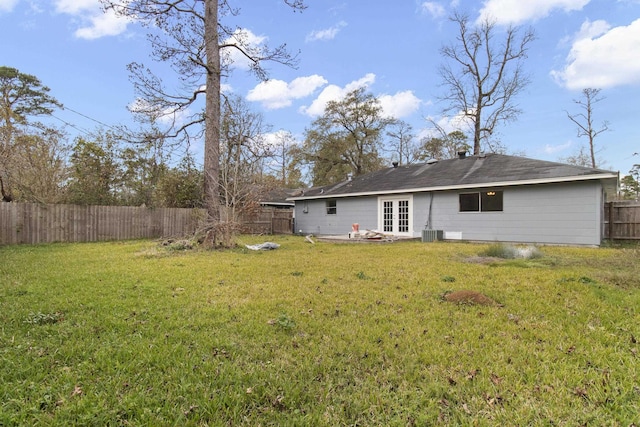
[(622, 220)]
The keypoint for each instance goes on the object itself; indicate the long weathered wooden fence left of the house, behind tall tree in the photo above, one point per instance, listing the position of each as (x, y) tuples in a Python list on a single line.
[(32, 223)]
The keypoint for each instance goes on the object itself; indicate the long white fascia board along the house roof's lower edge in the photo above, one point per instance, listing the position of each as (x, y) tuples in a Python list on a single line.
[(464, 186)]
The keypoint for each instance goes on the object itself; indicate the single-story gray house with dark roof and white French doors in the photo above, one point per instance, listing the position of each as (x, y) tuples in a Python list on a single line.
[(488, 197)]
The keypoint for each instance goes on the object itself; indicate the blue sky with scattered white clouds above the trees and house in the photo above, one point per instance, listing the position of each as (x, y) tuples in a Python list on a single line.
[(390, 48)]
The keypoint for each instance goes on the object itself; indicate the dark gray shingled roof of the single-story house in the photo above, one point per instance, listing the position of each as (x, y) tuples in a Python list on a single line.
[(459, 173)]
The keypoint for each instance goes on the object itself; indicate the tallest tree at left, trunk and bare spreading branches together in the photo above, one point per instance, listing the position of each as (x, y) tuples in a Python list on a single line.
[(191, 37)]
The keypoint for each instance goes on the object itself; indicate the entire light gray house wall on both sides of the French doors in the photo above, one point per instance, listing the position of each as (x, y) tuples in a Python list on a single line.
[(568, 213)]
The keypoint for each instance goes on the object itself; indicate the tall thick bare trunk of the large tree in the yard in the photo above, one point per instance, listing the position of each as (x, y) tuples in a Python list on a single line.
[(212, 114)]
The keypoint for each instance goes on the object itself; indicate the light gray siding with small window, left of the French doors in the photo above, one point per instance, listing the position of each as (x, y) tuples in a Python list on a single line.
[(350, 210)]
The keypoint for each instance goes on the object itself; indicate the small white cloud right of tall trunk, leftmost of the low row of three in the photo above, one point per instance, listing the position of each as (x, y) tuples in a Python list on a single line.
[(274, 94)]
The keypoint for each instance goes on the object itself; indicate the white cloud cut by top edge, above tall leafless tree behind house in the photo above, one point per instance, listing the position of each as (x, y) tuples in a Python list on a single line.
[(518, 11)]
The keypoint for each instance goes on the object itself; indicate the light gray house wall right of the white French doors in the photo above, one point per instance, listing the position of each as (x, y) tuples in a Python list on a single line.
[(554, 213)]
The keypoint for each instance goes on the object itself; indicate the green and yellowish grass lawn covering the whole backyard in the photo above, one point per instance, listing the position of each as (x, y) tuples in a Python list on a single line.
[(328, 334)]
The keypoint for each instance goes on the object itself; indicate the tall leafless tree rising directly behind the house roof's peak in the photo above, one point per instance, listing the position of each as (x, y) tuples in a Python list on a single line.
[(483, 74)]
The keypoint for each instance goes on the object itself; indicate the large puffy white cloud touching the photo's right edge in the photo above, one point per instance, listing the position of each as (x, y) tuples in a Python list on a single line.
[(602, 57)]
